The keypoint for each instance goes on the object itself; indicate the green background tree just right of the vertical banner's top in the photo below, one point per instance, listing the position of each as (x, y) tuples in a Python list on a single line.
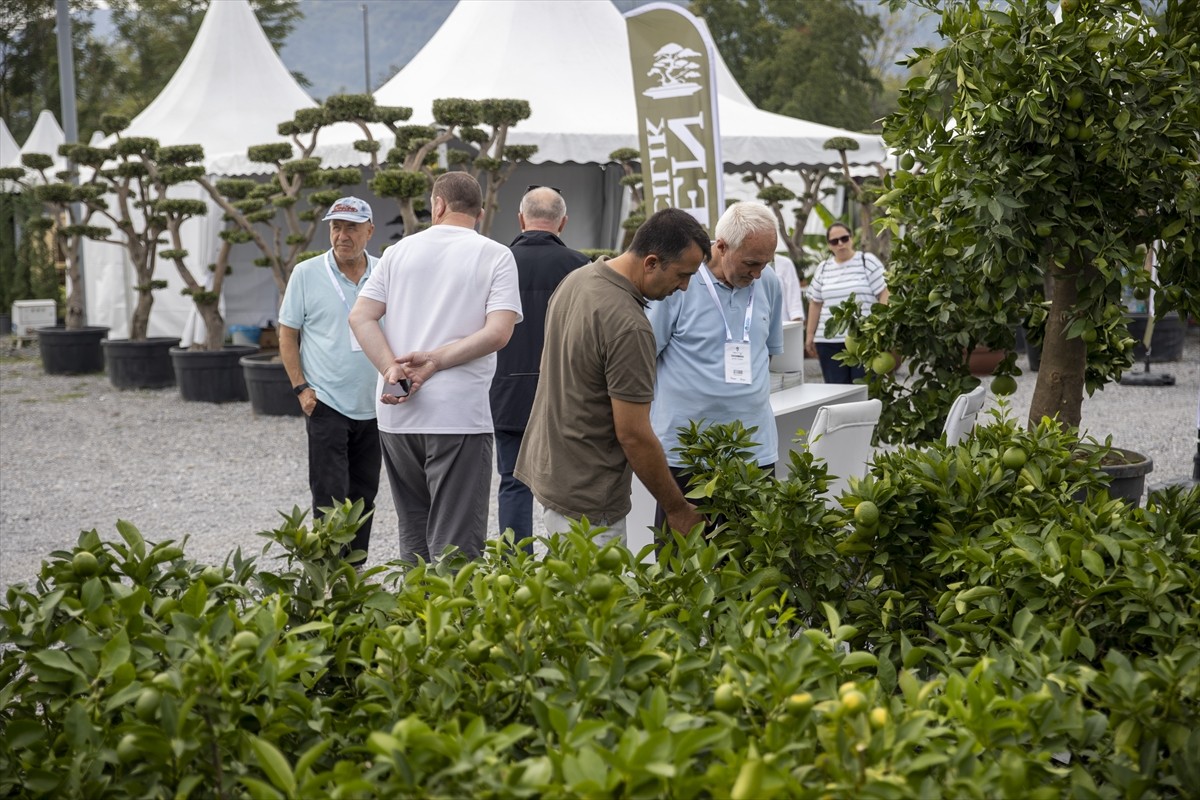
[(809, 61)]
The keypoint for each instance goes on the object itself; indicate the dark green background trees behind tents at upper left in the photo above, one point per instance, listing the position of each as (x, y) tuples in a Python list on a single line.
[(124, 74)]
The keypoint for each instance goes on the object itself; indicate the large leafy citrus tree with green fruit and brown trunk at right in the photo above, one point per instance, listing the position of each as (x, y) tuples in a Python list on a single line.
[(1053, 154)]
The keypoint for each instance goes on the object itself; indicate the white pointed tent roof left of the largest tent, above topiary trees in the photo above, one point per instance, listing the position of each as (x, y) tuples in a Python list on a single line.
[(232, 92)]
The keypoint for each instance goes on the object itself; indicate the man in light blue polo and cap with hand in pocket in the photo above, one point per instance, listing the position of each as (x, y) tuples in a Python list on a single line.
[(334, 382)]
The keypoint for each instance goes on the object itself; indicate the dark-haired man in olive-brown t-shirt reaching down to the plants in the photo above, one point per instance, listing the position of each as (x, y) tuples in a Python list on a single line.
[(590, 429)]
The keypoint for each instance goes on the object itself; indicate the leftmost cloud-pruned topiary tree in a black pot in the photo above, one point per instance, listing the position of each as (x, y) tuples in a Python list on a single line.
[(75, 347)]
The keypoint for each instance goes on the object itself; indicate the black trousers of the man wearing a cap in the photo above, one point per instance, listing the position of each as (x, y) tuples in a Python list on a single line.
[(345, 458)]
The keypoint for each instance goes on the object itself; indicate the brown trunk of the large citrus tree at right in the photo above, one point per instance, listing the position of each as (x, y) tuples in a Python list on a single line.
[(1060, 386)]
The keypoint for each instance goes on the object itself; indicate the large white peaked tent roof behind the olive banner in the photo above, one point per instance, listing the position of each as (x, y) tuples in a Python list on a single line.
[(571, 61)]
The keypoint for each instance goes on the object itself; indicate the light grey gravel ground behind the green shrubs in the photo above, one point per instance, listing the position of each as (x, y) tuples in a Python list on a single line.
[(76, 455)]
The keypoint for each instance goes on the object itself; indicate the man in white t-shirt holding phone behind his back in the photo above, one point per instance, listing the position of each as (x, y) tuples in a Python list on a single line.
[(452, 300)]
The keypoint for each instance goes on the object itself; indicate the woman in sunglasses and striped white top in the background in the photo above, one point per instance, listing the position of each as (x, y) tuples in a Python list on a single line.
[(847, 273)]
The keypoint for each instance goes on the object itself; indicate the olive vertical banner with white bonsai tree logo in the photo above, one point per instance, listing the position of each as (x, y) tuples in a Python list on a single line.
[(675, 86)]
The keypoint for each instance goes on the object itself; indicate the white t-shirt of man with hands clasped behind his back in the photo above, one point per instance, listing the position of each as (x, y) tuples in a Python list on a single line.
[(440, 286)]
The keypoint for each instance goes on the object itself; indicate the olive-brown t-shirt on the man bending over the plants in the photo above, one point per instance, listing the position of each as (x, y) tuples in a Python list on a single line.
[(599, 346)]
